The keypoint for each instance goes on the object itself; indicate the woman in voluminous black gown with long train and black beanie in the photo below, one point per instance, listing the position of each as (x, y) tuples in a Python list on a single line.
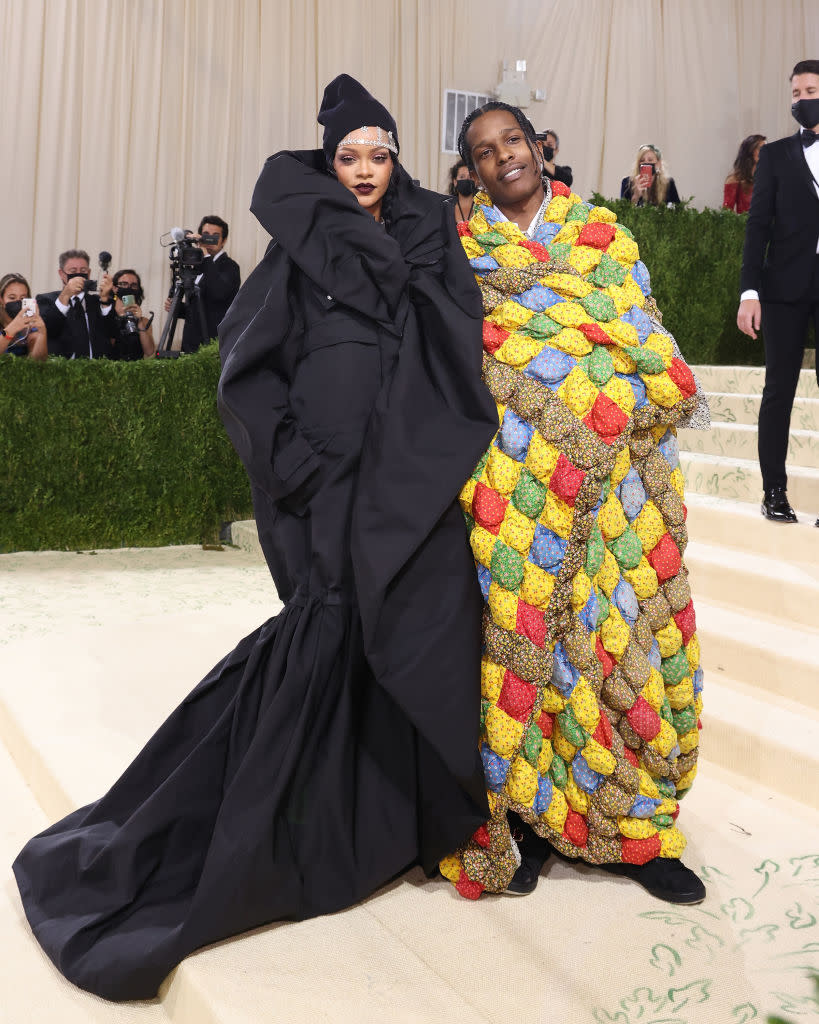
[(337, 745)]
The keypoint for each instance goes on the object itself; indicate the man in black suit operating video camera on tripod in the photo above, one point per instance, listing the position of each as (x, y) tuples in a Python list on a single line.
[(218, 282)]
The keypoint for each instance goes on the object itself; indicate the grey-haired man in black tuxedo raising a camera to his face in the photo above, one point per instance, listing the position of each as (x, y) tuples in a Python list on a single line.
[(80, 325)]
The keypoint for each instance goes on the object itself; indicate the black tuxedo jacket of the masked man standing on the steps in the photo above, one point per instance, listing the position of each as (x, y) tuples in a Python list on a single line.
[(784, 225)]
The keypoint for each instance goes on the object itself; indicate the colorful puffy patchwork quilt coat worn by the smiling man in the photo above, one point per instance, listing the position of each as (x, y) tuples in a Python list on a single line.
[(591, 674)]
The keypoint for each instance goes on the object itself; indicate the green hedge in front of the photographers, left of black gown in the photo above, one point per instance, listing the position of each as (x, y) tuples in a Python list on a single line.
[(102, 454)]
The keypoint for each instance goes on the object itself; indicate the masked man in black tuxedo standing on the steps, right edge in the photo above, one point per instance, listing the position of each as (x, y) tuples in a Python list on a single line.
[(781, 277)]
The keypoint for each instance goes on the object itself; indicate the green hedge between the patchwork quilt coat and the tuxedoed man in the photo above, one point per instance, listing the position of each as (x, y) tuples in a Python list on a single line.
[(695, 259)]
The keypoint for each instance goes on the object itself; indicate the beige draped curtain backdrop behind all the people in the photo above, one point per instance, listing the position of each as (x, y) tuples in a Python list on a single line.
[(123, 118)]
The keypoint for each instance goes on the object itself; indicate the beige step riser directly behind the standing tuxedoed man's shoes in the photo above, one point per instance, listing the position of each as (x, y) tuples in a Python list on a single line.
[(741, 480)]
